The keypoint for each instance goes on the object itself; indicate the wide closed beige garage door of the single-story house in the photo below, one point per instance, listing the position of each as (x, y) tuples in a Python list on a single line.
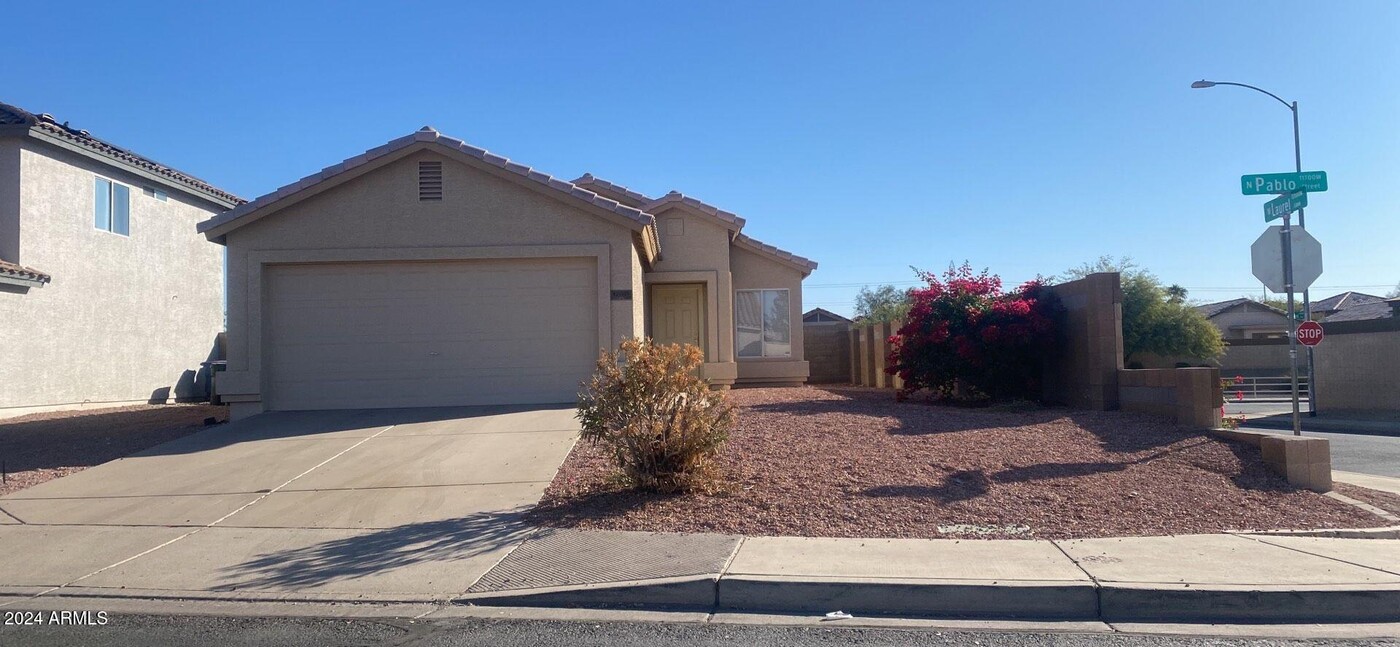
[(429, 334)]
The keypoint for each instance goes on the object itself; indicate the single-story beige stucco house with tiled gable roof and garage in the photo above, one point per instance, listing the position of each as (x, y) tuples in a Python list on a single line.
[(428, 272)]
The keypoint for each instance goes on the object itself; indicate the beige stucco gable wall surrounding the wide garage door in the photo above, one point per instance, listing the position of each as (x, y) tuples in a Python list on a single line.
[(481, 214)]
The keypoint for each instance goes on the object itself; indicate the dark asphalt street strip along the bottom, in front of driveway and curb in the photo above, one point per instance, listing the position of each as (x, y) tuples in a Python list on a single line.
[(274, 632)]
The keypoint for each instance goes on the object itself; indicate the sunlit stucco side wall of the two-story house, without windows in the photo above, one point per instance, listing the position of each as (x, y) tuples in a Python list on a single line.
[(125, 319)]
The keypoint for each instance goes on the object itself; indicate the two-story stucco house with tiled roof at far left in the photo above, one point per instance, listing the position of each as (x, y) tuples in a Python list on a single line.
[(107, 293)]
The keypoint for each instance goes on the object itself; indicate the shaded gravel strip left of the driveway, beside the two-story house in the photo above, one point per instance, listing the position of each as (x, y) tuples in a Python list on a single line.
[(47, 446)]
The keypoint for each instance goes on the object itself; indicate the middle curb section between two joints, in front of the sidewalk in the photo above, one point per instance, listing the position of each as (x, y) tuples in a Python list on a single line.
[(1045, 600)]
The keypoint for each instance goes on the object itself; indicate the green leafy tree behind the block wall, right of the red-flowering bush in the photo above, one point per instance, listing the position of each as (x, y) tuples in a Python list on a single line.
[(1156, 319)]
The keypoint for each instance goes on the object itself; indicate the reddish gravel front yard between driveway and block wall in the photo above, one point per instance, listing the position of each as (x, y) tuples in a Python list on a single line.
[(853, 463)]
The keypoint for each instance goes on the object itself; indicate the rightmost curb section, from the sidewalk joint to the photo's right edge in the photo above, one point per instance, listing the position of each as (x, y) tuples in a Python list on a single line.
[(1335, 604)]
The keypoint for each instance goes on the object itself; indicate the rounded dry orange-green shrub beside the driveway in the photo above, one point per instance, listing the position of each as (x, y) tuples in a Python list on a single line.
[(657, 418)]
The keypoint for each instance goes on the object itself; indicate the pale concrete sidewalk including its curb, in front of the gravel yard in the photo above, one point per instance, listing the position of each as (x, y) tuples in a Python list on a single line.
[(1233, 578)]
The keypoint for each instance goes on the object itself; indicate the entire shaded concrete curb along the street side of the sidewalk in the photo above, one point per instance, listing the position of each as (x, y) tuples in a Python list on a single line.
[(978, 600)]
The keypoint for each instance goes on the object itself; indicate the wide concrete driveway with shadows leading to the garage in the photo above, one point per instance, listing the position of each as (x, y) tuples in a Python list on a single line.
[(388, 503)]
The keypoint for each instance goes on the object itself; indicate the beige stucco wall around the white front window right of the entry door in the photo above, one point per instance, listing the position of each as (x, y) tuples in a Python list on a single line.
[(754, 272)]
